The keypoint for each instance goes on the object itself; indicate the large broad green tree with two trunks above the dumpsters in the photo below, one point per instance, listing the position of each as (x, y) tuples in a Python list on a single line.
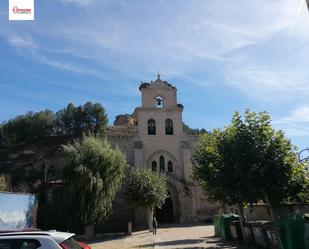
[(249, 161)]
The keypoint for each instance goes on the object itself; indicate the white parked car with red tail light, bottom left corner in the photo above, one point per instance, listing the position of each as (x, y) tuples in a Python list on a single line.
[(37, 239)]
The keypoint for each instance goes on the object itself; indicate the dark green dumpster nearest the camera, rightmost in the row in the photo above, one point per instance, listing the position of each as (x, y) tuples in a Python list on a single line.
[(292, 232)]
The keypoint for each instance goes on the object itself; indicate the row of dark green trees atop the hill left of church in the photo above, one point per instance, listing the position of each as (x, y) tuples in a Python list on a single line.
[(72, 121)]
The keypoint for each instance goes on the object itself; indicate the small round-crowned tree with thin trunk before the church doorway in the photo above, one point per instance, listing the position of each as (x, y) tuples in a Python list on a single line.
[(145, 188)]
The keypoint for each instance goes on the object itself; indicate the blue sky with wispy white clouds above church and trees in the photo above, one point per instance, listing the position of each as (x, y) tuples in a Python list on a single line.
[(222, 55)]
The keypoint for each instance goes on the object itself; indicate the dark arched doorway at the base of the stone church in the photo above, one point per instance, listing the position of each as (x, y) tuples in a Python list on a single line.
[(165, 214)]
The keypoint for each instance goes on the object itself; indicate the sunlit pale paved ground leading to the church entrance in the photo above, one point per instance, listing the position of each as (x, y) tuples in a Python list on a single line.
[(176, 237)]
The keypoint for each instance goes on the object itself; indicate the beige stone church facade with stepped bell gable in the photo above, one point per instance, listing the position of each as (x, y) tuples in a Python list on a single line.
[(153, 137)]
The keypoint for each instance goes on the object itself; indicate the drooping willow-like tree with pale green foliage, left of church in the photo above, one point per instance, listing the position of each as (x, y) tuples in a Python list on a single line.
[(92, 174)]
